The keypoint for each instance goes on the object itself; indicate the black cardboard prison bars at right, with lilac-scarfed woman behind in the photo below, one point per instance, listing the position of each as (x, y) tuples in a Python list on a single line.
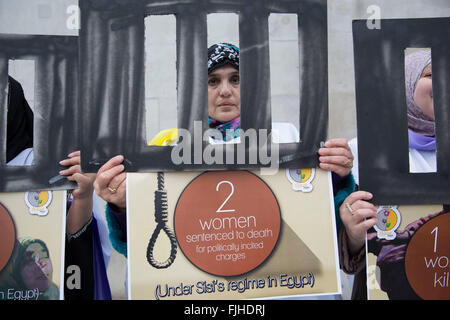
[(381, 109)]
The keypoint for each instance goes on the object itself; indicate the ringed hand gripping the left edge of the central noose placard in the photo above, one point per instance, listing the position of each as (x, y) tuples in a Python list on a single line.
[(110, 183)]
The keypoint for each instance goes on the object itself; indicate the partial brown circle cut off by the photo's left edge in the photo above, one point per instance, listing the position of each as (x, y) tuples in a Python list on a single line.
[(7, 236)]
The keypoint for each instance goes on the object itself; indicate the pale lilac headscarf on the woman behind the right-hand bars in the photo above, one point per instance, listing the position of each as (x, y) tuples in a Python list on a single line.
[(418, 121)]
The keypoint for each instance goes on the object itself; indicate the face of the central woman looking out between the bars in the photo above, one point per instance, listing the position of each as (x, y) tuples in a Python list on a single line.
[(224, 94)]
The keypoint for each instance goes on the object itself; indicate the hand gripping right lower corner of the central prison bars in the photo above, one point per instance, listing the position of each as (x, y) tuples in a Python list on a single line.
[(336, 156)]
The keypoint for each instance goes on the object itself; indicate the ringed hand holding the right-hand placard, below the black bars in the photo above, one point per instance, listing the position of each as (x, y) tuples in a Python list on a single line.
[(358, 215)]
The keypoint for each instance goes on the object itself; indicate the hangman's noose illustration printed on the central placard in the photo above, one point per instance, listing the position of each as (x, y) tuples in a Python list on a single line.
[(161, 220)]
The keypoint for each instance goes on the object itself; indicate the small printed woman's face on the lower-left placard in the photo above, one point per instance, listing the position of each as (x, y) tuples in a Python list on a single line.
[(36, 268)]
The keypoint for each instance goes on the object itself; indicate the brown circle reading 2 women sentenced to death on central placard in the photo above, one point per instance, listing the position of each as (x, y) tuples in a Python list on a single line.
[(224, 242)]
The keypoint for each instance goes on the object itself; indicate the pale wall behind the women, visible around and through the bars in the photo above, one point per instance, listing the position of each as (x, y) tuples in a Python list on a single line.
[(53, 17)]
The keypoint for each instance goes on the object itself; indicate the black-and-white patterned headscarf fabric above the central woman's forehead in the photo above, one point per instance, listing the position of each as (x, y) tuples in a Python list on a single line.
[(221, 54)]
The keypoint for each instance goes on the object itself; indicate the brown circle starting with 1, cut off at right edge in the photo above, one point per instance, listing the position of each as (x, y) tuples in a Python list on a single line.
[(427, 260)]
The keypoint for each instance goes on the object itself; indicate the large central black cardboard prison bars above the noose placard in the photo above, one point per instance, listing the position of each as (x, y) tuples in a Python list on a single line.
[(112, 79)]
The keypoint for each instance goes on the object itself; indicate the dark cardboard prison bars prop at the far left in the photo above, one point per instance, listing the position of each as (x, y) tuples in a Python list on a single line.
[(55, 109)]
